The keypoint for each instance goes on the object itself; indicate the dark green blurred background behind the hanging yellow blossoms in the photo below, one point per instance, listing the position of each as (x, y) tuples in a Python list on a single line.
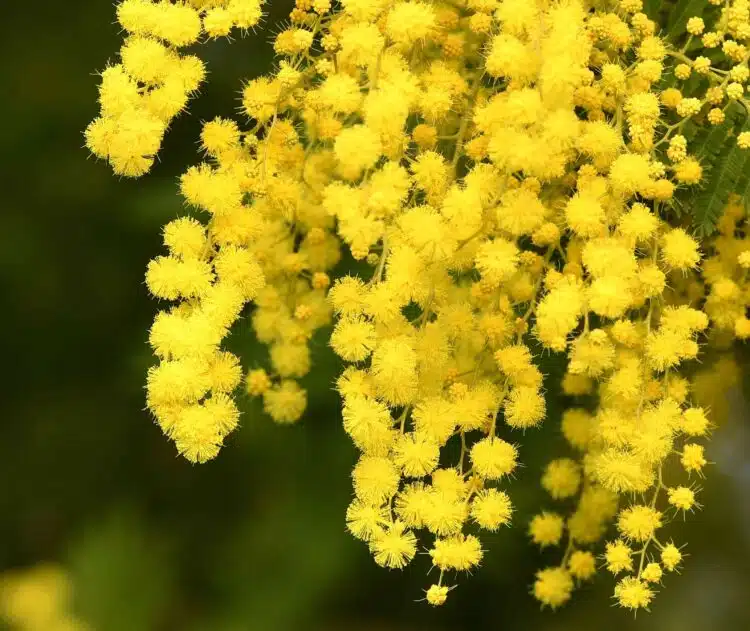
[(254, 540)]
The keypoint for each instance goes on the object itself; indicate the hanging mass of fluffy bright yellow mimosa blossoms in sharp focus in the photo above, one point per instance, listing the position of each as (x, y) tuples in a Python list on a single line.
[(515, 178)]
